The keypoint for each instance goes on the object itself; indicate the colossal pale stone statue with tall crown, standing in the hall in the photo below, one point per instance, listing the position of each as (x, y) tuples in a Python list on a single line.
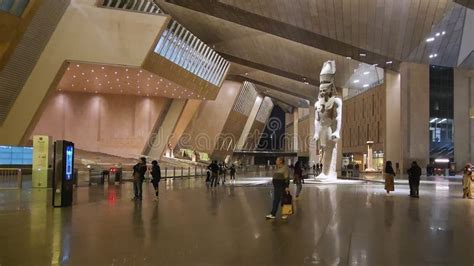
[(328, 122)]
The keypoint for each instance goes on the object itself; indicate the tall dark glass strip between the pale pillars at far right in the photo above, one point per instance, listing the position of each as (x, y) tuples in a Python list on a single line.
[(441, 113)]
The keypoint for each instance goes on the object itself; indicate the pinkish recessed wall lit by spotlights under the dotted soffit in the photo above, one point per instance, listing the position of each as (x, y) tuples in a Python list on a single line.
[(112, 124)]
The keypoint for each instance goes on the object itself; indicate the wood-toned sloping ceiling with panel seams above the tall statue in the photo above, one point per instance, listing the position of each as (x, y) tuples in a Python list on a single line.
[(281, 45)]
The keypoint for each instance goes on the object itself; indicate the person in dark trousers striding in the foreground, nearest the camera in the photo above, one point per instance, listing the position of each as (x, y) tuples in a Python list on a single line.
[(281, 180)]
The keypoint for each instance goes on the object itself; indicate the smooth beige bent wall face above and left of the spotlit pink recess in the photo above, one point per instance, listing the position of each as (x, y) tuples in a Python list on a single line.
[(85, 33)]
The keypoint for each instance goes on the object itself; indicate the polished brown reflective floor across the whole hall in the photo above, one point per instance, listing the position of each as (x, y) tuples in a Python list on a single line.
[(353, 223)]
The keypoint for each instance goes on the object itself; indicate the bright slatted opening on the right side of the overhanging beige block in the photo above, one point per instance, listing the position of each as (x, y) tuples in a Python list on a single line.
[(183, 48)]
